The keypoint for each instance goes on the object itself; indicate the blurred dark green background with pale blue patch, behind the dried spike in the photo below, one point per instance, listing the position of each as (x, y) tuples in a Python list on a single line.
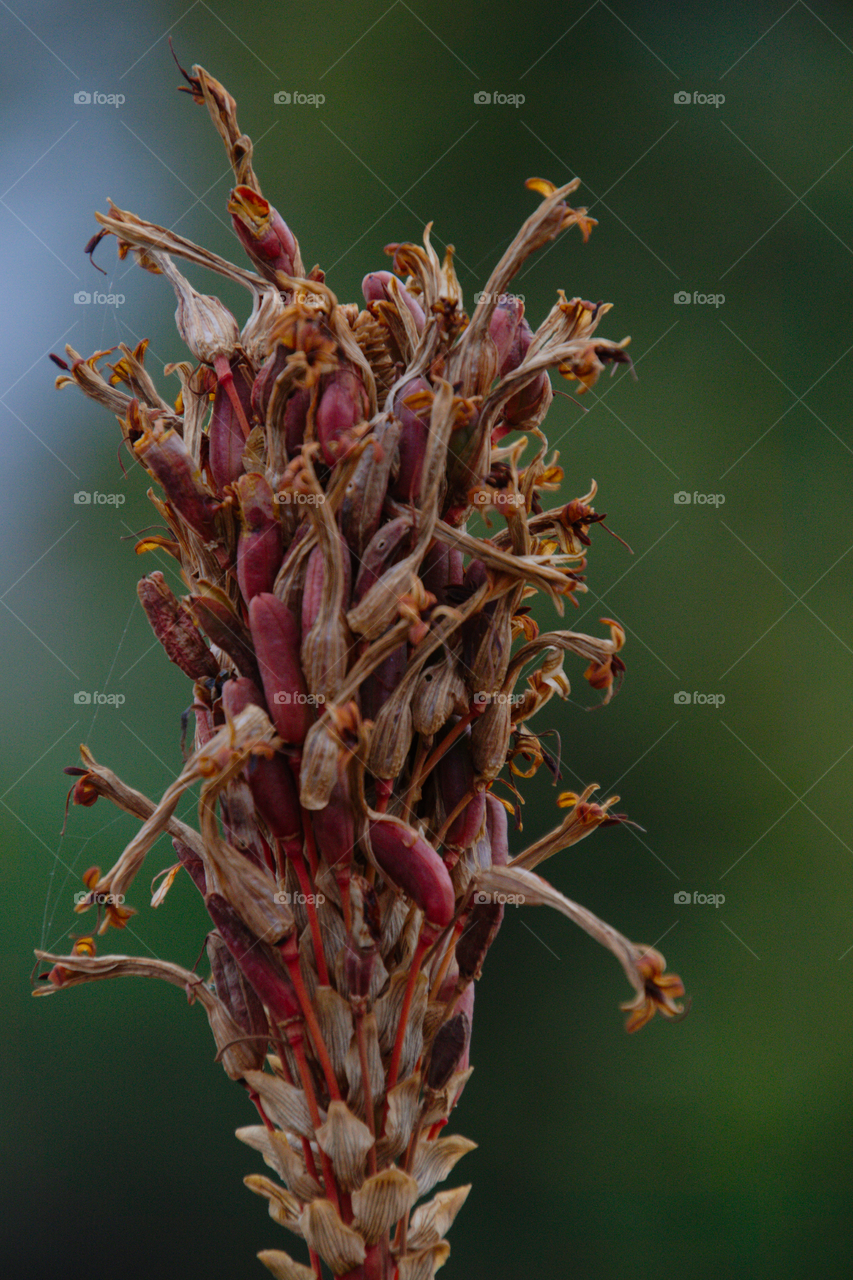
[(722, 1145)]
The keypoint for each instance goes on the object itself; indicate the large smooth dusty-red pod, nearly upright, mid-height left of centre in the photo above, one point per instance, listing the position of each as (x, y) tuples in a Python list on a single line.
[(277, 644)]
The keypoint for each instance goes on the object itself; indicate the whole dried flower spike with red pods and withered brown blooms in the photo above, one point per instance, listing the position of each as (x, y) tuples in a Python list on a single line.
[(357, 703)]
